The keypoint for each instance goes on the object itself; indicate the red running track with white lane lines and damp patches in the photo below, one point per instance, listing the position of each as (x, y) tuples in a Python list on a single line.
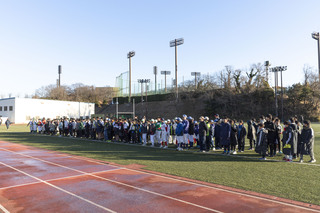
[(36, 180)]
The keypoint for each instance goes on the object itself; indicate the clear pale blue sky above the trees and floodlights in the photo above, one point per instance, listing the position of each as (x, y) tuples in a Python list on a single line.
[(91, 38)]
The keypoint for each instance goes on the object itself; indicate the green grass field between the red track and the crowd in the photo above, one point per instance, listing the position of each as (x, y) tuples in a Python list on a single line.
[(288, 180)]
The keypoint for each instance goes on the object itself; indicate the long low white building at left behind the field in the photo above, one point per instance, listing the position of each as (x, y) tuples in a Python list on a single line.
[(21, 110)]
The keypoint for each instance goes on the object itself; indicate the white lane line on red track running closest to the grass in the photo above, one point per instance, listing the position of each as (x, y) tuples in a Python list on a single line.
[(197, 184)]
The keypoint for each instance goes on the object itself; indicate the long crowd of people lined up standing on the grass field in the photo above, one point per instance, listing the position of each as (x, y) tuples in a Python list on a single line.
[(266, 135)]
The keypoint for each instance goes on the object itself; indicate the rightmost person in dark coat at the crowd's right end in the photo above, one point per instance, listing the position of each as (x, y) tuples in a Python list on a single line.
[(307, 142)]
